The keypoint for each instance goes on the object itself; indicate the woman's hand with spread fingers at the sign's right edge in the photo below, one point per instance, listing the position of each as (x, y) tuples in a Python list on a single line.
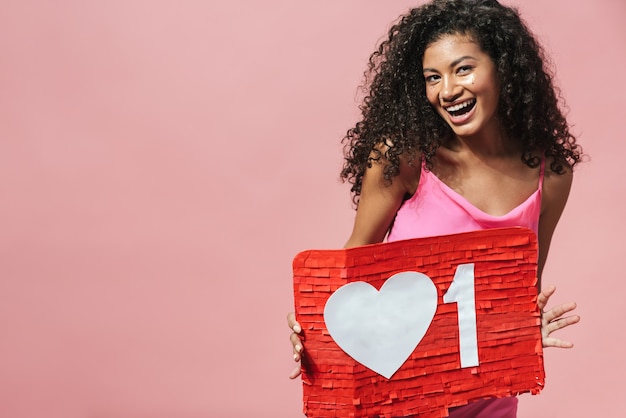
[(553, 319)]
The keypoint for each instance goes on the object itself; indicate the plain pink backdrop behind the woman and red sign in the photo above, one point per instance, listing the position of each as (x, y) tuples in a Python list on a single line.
[(161, 163)]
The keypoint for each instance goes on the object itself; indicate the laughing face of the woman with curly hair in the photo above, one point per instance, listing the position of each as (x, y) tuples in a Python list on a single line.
[(461, 84)]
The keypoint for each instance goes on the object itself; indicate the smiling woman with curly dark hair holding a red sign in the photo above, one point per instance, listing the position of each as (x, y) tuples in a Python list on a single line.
[(461, 130)]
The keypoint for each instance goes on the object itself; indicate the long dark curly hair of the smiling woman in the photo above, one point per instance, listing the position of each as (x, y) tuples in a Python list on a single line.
[(397, 119)]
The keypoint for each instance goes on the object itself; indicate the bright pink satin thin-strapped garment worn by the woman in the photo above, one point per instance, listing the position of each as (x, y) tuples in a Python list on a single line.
[(436, 209)]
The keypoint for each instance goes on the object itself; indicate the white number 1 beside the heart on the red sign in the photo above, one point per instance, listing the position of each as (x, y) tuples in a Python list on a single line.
[(462, 292)]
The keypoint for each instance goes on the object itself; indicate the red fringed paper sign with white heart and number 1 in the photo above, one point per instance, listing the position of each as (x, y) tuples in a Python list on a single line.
[(418, 326)]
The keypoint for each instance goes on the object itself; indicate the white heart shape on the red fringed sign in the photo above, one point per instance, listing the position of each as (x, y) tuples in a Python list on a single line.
[(380, 329)]
